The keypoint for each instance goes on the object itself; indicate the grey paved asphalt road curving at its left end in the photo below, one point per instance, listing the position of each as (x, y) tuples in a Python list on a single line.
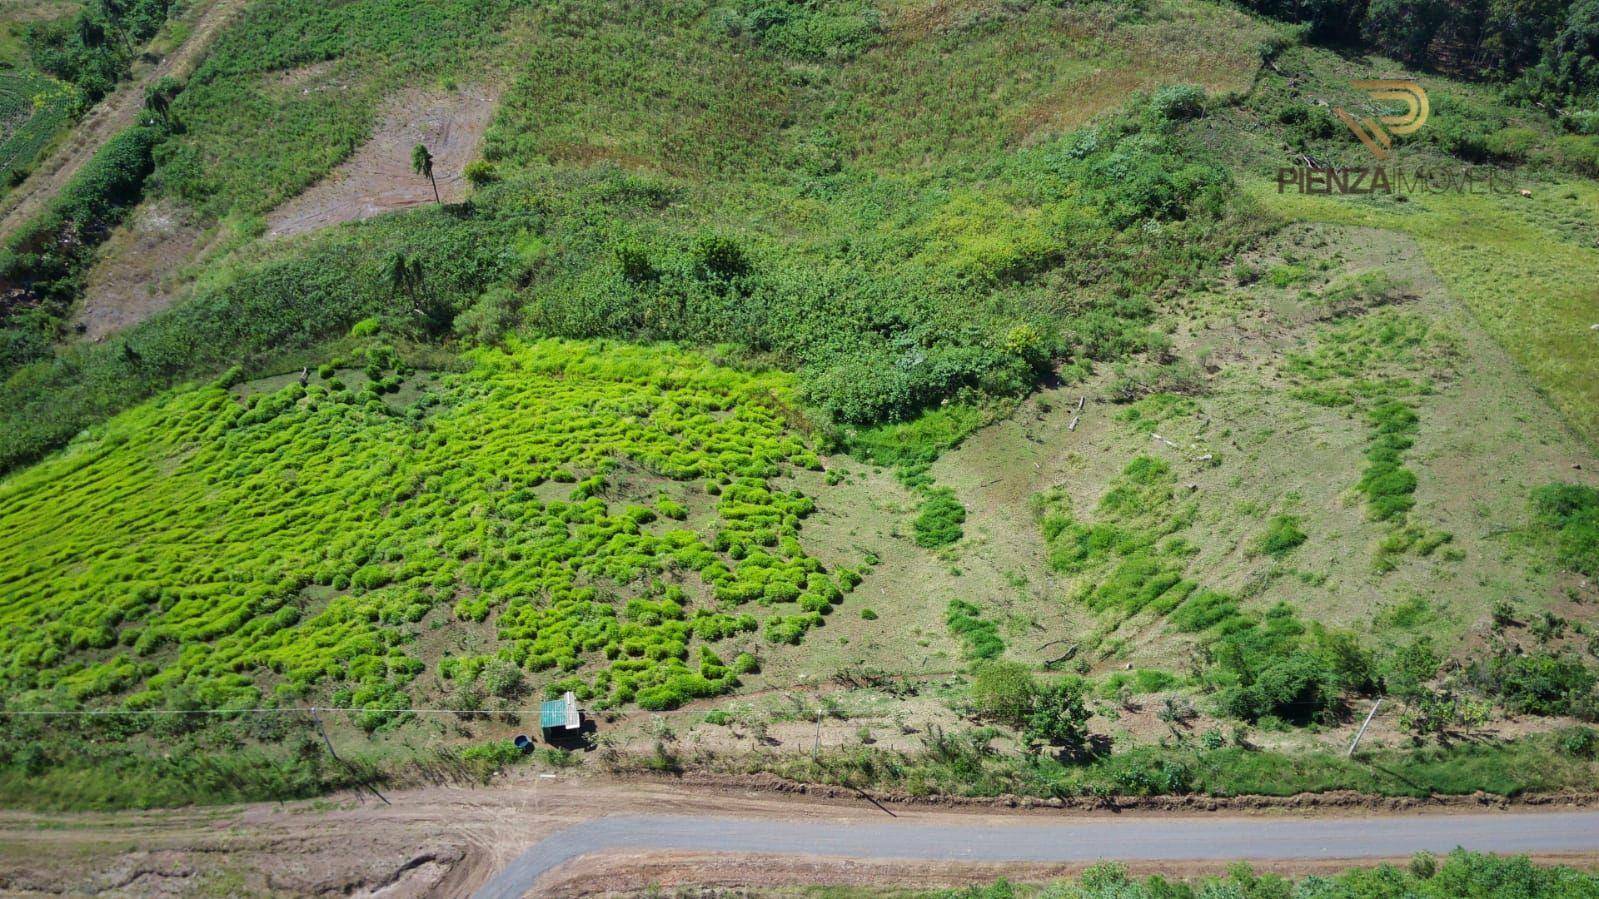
[(1082, 841)]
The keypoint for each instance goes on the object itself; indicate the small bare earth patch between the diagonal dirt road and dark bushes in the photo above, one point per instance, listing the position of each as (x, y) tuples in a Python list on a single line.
[(134, 278)]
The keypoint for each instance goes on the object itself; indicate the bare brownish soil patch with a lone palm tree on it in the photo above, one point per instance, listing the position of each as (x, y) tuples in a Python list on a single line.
[(380, 180)]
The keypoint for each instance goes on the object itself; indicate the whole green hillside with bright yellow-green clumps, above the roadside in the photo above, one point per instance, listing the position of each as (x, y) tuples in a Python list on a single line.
[(1000, 362)]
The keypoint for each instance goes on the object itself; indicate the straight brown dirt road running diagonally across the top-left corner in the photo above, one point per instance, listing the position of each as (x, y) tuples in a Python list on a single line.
[(114, 114)]
